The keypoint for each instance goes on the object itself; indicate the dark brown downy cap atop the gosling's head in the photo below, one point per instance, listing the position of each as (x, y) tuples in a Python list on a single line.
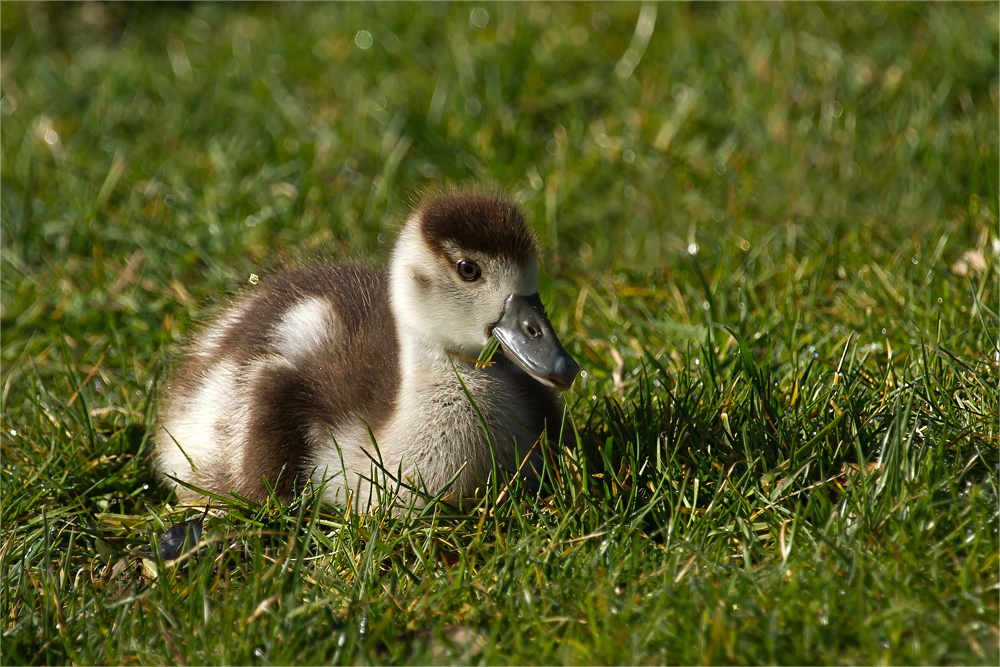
[(480, 222)]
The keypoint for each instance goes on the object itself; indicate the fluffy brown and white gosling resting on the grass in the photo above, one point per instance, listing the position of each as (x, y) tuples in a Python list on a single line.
[(365, 382)]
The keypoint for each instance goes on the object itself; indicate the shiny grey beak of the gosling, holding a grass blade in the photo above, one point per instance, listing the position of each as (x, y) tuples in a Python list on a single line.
[(526, 336)]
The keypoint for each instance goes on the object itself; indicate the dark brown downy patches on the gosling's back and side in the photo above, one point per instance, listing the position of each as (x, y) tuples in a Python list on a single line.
[(355, 375)]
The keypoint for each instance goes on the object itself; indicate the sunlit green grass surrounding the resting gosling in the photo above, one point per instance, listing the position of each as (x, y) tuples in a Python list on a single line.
[(770, 238)]
